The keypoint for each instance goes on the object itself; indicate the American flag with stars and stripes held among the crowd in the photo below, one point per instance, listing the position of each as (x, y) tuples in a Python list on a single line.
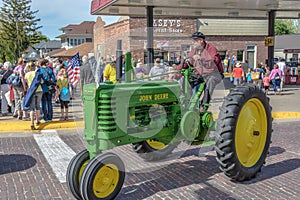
[(73, 70)]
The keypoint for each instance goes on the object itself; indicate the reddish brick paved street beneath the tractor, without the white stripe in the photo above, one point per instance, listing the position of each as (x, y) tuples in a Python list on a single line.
[(26, 174)]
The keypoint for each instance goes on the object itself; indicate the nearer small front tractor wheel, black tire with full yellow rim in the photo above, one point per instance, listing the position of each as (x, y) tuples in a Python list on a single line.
[(102, 178)]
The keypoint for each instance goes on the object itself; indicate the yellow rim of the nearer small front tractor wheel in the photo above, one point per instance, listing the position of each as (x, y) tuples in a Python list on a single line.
[(106, 180)]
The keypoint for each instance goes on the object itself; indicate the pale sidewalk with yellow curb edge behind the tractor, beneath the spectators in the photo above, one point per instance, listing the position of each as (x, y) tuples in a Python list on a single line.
[(284, 106)]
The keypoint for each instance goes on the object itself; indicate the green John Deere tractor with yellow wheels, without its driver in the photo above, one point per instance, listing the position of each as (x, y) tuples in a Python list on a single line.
[(154, 117)]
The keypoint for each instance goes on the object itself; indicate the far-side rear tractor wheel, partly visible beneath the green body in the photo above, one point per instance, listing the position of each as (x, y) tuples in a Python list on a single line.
[(152, 150)]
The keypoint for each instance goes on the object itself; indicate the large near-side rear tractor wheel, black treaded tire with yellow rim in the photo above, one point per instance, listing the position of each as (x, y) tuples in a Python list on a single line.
[(244, 131)]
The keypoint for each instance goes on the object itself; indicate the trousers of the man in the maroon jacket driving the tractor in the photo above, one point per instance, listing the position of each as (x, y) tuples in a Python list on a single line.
[(211, 81)]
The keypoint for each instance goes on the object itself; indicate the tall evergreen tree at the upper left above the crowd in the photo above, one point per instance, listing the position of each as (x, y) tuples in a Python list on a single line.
[(19, 28)]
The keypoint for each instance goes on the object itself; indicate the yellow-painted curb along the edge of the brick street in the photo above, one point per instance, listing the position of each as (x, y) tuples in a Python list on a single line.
[(24, 126)]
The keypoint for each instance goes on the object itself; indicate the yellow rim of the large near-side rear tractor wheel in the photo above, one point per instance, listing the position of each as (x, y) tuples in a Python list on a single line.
[(251, 132)]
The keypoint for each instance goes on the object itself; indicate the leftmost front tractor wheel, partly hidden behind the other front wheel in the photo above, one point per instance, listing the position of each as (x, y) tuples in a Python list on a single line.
[(74, 172)]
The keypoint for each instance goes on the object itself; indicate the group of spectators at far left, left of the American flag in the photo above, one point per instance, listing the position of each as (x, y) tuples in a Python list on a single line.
[(28, 95)]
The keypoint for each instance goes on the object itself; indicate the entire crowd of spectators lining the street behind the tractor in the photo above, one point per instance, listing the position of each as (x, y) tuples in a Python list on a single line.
[(32, 99)]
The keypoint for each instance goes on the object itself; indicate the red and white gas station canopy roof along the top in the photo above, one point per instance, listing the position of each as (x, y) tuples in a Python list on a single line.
[(249, 9)]
